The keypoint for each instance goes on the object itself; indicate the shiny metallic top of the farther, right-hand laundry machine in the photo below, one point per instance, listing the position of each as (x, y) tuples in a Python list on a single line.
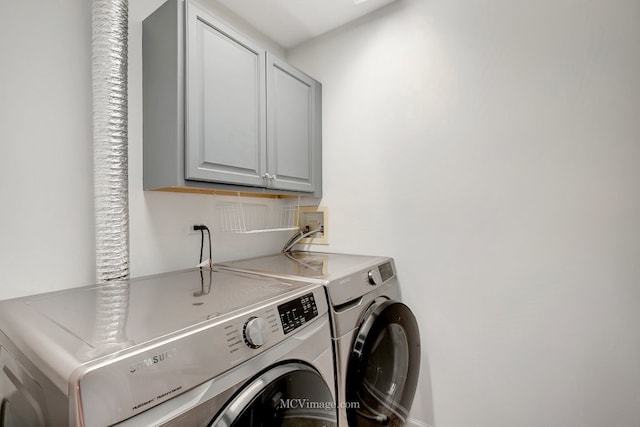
[(317, 266)]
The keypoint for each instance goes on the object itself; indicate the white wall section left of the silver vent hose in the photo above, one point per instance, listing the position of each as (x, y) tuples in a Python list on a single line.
[(46, 204)]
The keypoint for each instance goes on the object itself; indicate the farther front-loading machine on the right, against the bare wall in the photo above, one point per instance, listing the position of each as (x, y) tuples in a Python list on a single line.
[(375, 335)]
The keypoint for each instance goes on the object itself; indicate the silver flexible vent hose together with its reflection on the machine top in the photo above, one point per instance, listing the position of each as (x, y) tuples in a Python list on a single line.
[(110, 157)]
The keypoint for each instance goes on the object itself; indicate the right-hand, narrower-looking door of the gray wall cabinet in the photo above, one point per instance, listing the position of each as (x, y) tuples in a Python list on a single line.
[(294, 135)]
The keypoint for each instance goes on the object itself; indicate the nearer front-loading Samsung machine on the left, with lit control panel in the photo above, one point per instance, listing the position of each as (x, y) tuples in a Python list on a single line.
[(189, 348)]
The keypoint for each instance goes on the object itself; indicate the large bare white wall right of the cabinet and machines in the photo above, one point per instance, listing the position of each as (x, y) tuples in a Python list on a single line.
[(493, 148)]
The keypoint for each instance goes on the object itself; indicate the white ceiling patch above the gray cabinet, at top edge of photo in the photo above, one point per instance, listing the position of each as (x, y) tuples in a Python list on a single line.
[(291, 22)]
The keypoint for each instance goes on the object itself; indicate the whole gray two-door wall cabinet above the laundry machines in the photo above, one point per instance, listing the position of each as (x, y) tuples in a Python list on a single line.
[(222, 113)]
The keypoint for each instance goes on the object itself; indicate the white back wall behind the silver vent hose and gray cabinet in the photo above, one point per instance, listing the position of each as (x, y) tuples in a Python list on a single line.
[(46, 172)]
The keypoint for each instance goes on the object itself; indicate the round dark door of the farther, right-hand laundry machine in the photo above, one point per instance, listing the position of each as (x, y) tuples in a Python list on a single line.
[(383, 368)]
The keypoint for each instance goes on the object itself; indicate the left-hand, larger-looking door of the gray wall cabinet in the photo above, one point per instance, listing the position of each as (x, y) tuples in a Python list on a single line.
[(225, 119)]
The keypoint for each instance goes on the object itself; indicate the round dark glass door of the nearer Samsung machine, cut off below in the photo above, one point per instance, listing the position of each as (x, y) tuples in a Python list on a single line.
[(289, 395)]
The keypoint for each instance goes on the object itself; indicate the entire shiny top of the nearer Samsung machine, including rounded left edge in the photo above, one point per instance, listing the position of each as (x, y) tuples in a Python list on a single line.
[(62, 330)]
